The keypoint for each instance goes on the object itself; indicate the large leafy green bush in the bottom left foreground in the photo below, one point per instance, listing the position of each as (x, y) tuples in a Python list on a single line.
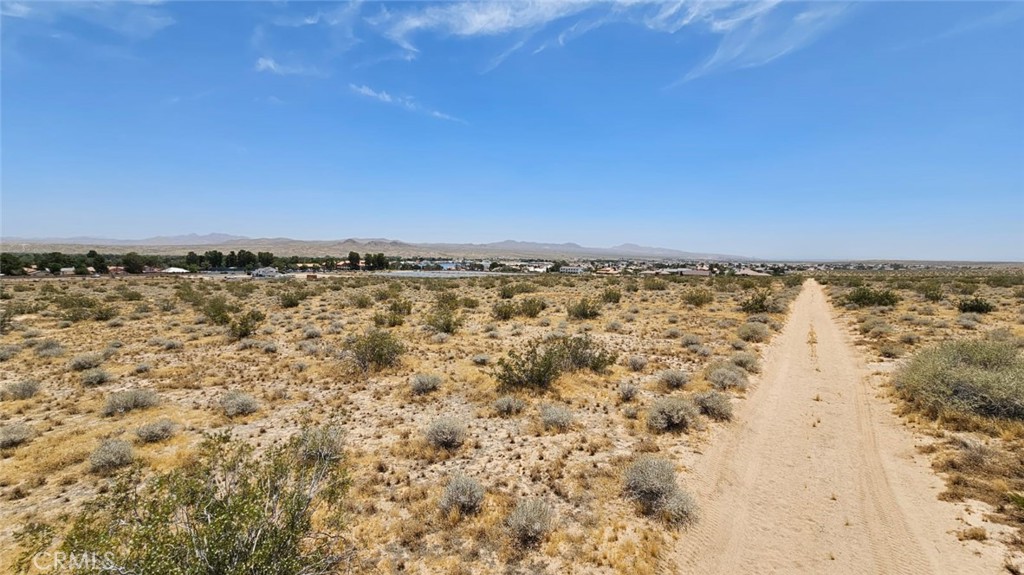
[(240, 513)]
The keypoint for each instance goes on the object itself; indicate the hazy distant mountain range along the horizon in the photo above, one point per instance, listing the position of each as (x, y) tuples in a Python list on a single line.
[(173, 245)]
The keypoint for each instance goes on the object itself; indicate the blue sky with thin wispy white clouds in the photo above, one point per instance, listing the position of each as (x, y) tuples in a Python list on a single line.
[(773, 129)]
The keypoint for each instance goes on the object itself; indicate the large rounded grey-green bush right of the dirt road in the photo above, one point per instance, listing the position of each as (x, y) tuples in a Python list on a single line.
[(967, 377)]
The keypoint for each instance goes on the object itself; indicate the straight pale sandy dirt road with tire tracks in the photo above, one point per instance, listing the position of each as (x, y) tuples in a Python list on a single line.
[(817, 475)]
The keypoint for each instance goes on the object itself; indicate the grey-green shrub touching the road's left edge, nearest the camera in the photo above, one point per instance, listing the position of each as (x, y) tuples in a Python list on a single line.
[(651, 482)]
